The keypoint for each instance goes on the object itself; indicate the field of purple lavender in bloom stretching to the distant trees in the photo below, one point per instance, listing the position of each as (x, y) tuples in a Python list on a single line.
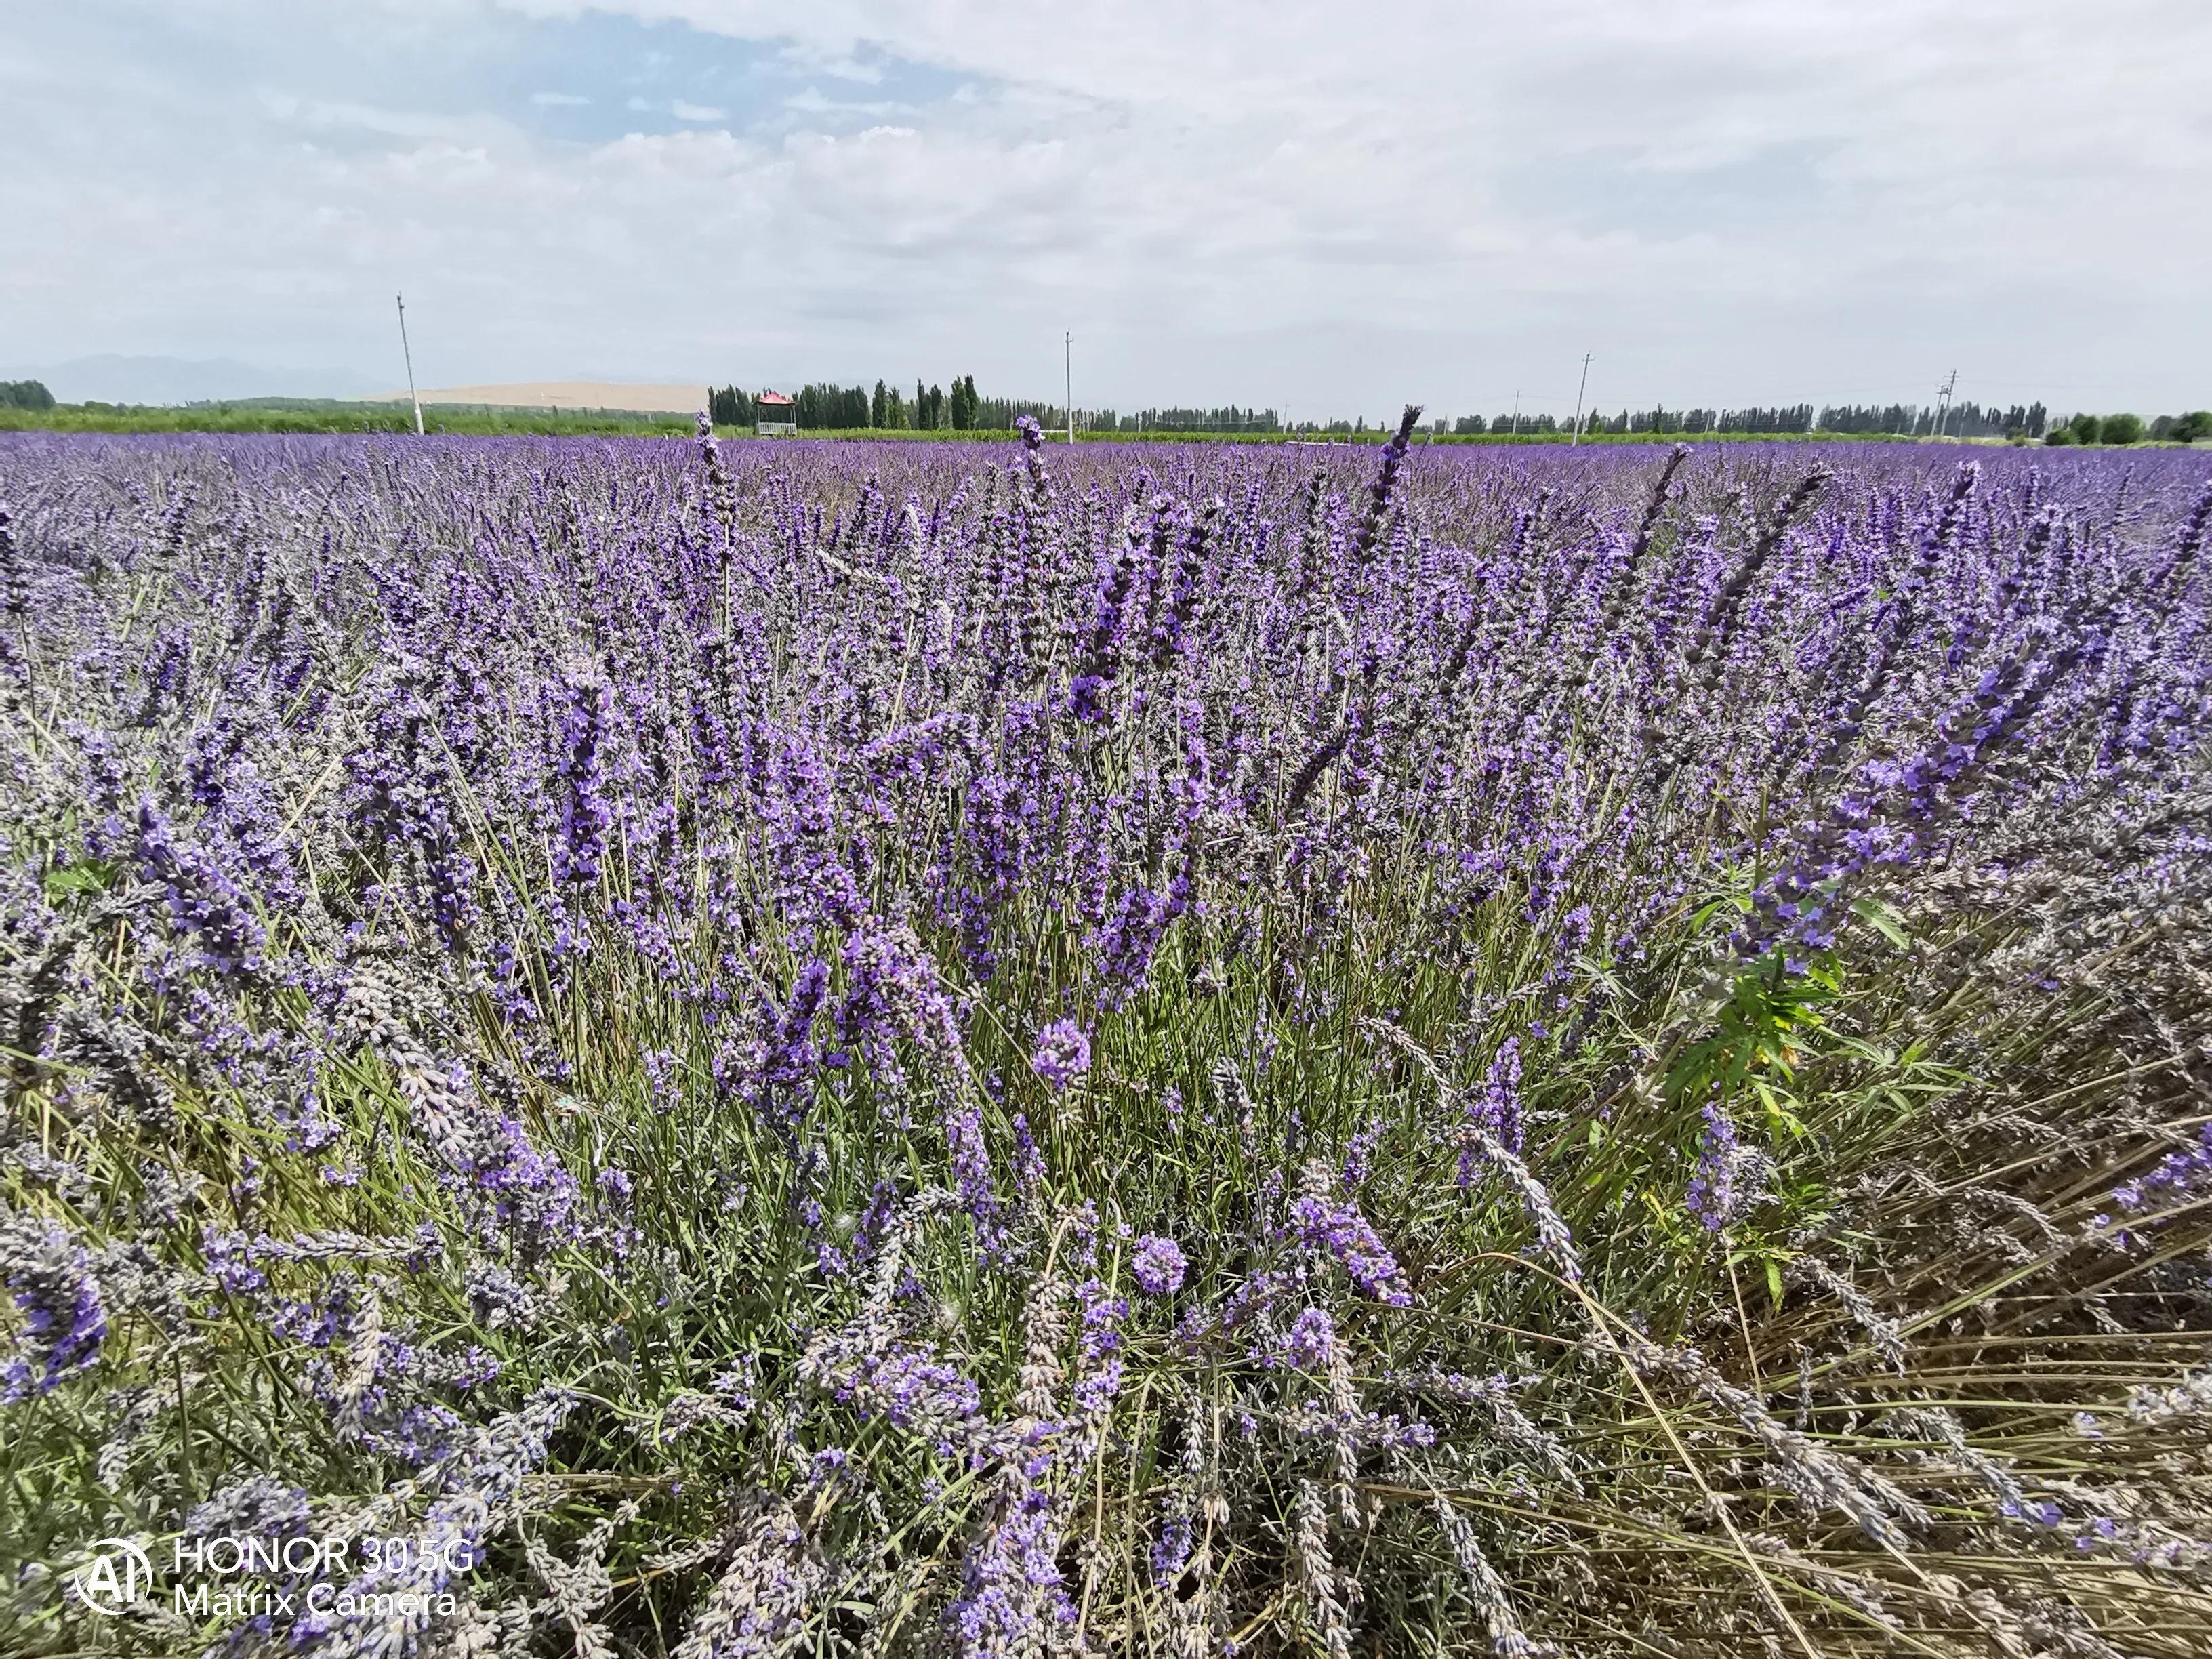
[(994, 1050)]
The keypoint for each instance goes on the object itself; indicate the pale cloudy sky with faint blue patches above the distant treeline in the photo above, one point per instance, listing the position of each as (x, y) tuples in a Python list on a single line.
[(1328, 209)]
